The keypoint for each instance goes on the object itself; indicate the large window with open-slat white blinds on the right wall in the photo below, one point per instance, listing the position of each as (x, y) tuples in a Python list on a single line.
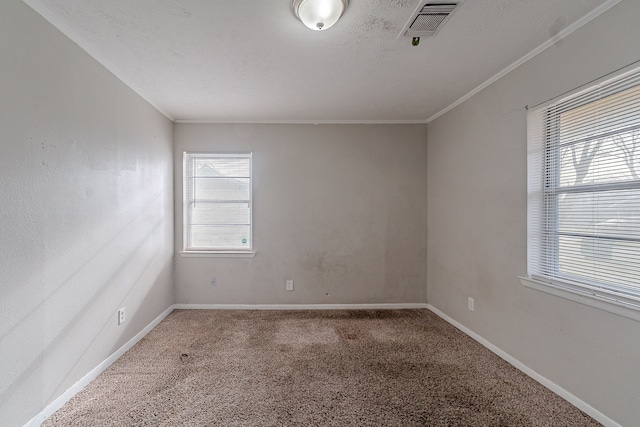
[(584, 192)]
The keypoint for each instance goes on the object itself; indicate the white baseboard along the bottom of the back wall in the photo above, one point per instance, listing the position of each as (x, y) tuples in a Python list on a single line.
[(385, 306)]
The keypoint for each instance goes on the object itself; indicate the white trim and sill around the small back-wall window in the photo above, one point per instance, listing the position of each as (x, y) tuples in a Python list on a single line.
[(214, 253)]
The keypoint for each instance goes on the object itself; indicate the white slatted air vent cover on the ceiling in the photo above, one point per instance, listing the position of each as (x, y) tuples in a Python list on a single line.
[(428, 18)]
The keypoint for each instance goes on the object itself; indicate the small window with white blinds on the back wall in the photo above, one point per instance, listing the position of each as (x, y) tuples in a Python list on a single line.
[(217, 202)]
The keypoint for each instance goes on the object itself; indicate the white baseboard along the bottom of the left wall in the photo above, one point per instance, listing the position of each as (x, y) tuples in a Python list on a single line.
[(93, 374)]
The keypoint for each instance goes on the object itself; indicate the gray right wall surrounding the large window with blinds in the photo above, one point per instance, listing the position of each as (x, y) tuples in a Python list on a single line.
[(477, 191)]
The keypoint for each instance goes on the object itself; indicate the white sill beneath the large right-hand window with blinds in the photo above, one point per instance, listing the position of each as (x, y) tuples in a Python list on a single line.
[(620, 305)]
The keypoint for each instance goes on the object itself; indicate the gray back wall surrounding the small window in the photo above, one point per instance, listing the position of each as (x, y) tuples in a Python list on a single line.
[(340, 209)]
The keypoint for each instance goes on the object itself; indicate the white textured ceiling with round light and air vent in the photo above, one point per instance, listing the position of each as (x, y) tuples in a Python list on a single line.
[(253, 61)]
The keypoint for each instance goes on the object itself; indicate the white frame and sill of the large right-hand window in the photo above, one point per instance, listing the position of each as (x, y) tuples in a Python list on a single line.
[(543, 201)]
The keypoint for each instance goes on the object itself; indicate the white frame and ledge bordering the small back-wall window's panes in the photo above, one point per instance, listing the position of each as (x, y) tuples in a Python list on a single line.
[(188, 251)]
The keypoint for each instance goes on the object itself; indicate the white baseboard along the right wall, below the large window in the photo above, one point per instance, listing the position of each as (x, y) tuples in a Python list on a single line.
[(575, 401)]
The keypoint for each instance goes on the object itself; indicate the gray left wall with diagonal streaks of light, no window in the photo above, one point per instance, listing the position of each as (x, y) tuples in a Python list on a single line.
[(86, 213)]
